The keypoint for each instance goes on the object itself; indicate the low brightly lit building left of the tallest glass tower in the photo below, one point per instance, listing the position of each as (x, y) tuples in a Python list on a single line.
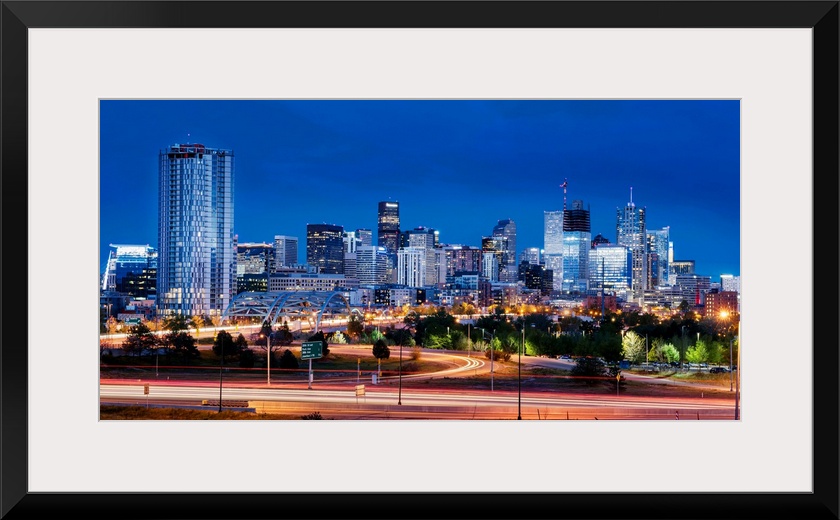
[(131, 270)]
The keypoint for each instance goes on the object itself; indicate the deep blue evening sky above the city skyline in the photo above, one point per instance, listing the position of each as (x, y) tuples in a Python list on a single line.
[(457, 166)]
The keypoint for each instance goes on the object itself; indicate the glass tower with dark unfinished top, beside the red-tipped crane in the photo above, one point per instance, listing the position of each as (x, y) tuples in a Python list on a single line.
[(577, 241)]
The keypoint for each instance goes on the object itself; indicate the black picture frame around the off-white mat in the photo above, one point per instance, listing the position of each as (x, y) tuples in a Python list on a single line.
[(19, 16)]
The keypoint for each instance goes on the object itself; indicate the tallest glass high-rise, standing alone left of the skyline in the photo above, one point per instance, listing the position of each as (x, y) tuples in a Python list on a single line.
[(196, 263)]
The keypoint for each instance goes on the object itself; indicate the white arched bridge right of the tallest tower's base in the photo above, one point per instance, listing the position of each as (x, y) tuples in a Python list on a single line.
[(271, 306)]
